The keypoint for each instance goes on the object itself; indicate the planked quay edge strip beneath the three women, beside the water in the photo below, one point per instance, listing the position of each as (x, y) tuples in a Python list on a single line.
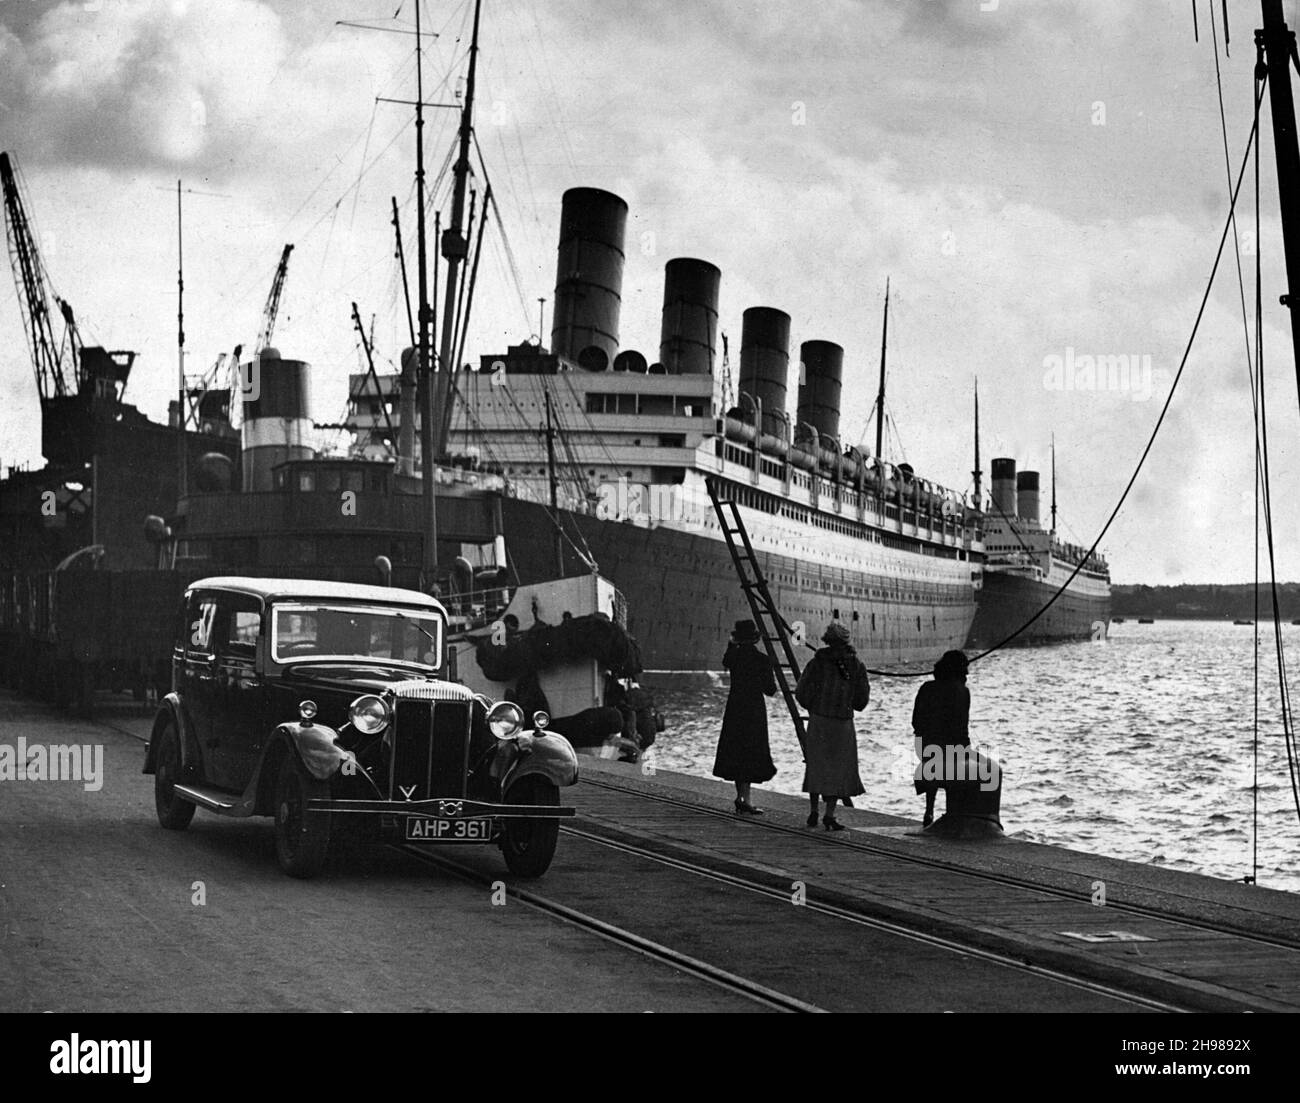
[(1180, 938)]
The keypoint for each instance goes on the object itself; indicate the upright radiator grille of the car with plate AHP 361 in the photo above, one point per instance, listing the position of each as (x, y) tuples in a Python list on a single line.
[(430, 756)]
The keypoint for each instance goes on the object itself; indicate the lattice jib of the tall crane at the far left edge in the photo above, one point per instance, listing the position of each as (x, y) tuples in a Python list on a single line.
[(55, 360)]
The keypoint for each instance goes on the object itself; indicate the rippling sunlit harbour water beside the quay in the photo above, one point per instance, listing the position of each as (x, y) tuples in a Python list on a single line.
[(1139, 747)]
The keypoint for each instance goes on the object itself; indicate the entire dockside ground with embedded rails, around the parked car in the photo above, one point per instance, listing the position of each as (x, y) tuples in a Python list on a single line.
[(661, 899)]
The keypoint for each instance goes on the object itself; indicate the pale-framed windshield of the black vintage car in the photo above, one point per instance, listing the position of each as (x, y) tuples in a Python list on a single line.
[(302, 631)]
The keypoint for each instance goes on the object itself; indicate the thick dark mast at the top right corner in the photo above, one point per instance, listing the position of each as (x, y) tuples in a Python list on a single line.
[(1277, 44)]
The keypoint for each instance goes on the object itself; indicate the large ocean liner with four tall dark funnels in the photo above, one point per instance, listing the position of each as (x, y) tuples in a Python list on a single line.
[(618, 449)]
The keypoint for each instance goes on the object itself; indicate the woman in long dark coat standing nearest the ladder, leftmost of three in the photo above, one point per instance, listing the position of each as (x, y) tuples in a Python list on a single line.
[(743, 752)]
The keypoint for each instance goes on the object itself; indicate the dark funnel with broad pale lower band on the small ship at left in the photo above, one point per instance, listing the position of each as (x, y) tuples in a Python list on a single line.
[(276, 426)]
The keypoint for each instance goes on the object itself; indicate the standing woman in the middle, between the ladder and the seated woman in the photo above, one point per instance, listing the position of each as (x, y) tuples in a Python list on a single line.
[(834, 687)]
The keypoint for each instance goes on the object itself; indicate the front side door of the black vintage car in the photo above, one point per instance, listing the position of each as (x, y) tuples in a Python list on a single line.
[(239, 691)]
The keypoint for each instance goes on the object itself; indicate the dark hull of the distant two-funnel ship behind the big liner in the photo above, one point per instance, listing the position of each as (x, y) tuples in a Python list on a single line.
[(1009, 602)]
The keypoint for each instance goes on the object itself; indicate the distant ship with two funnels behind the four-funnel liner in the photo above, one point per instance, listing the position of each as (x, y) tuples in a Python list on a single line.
[(1026, 565)]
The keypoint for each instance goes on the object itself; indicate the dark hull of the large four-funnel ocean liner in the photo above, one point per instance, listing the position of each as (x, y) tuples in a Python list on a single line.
[(684, 595)]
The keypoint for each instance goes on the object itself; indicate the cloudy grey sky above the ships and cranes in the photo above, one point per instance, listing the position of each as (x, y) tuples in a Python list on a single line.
[(1042, 183)]
